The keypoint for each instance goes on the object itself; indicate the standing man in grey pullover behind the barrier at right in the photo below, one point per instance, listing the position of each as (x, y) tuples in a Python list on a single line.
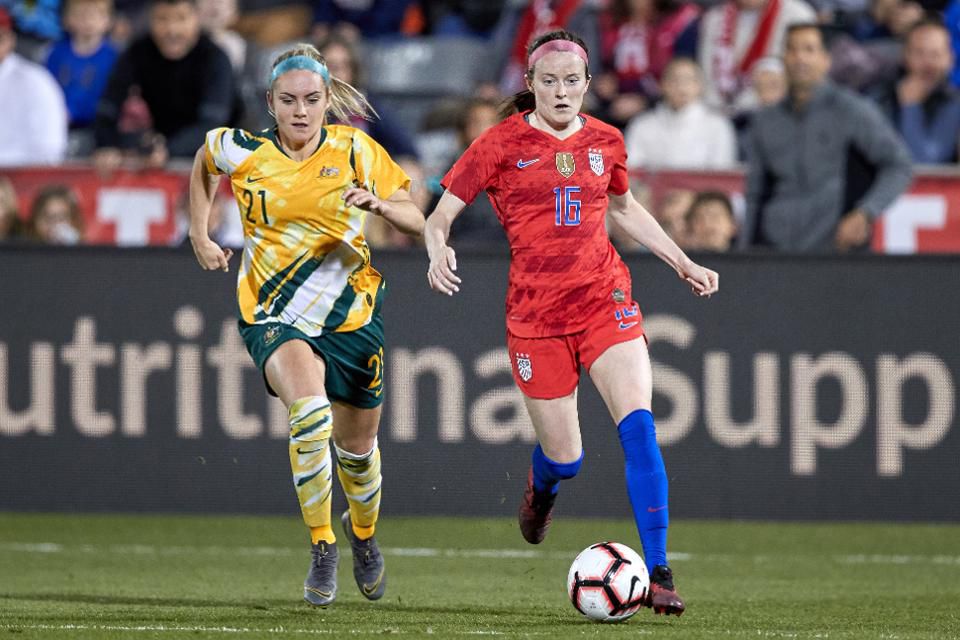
[(802, 192)]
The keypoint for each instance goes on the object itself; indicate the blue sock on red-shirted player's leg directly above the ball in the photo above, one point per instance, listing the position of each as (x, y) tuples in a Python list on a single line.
[(646, 484)]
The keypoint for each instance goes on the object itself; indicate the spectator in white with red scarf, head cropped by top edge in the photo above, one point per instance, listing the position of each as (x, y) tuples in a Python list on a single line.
[(734, 35)]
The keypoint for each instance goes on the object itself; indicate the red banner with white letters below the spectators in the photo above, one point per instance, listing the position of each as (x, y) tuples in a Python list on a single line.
[(141, 208)]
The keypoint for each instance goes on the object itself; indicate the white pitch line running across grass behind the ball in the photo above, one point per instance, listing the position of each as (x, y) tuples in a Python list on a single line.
[(438, 552)]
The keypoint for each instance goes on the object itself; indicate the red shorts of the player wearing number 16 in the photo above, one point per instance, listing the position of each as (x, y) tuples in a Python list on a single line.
[(547, 368)]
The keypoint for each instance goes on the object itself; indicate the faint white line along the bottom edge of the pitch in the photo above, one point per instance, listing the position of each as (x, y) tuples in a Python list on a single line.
[(251, 630)]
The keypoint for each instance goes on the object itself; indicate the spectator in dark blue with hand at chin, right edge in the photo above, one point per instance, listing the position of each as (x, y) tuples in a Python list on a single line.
[(923, 105)]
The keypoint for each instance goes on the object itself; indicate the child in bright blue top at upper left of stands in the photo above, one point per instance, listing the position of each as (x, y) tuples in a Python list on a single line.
[(81, 62)]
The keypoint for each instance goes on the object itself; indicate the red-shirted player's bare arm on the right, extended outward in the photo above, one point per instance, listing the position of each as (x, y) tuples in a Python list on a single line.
[(642, 227)]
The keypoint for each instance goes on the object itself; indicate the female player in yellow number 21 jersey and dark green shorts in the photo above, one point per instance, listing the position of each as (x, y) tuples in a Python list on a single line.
[(309, 300)]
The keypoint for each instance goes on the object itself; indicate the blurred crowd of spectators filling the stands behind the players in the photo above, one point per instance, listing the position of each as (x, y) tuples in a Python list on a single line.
[(127, 84)]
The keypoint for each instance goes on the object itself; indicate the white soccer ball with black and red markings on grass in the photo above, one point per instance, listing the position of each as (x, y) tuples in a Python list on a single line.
[(608, 582)]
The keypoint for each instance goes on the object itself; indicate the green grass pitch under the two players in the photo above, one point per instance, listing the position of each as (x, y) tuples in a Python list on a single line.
[(104, 576)]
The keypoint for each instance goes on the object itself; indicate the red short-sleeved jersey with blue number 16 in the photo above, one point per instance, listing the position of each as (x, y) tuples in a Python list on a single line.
[(551, 198)]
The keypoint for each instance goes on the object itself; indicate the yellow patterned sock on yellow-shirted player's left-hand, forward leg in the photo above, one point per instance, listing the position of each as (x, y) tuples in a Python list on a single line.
[(311, 423)]
